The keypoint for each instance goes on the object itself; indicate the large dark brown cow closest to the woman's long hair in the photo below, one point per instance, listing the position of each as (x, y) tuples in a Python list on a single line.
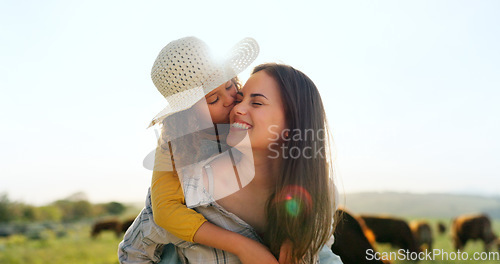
[(353, 240)]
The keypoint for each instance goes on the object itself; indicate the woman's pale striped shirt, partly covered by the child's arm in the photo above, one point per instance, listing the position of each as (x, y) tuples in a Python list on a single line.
[(144, 241)]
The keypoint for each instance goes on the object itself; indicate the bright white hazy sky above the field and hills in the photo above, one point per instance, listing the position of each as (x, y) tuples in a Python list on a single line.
[(411, 88)]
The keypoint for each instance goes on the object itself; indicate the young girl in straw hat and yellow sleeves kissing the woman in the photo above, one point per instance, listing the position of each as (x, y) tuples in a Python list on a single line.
[(200, 92)]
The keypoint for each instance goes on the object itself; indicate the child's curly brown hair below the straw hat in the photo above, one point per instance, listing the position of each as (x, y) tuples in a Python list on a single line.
[(187, 147)]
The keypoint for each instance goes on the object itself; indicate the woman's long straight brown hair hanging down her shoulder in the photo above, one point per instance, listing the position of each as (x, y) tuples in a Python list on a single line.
[(301, 208)]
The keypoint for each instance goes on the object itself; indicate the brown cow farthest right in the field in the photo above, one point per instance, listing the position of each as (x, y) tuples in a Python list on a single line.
[(473, 227)]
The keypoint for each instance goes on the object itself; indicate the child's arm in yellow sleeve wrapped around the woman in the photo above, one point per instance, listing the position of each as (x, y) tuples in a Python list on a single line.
[(171, 213)]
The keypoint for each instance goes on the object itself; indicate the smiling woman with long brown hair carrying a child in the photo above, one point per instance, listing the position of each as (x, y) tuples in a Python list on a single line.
[(290, 200)]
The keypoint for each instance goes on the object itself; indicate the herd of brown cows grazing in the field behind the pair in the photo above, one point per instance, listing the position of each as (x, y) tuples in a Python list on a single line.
[(357, 235)]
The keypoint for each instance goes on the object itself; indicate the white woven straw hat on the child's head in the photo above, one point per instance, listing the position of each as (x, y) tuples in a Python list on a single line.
[(185, 71)]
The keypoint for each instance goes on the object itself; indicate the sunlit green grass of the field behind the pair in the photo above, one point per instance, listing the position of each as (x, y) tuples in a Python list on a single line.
[(75, 246)]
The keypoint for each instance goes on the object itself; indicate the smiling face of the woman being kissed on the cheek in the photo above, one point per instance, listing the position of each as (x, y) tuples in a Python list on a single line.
[(258, 111)]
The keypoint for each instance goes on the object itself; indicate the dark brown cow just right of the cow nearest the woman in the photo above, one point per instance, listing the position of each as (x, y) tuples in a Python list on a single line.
[(392, 230)]
